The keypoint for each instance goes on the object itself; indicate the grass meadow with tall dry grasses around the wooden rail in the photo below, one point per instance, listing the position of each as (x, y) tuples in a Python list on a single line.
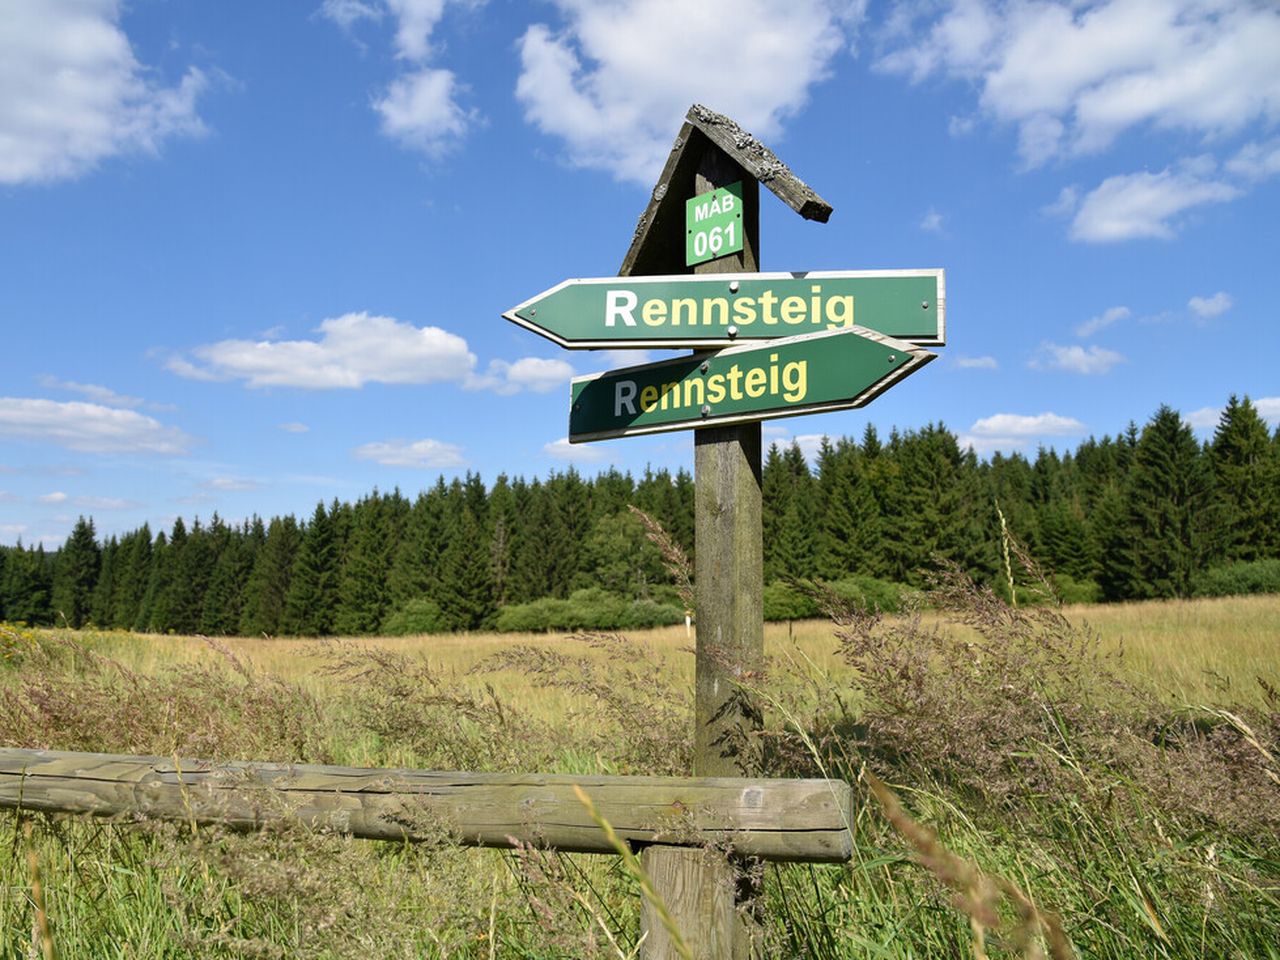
[(1096, 783)]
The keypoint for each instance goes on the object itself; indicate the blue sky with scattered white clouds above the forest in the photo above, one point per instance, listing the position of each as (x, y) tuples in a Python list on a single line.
[(253, 255)]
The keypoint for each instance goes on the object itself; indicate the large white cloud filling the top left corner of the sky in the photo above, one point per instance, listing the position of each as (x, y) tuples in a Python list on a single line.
[(75, 94)]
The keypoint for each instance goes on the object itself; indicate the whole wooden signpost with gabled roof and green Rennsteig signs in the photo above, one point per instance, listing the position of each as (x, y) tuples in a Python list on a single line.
[(772, 346)]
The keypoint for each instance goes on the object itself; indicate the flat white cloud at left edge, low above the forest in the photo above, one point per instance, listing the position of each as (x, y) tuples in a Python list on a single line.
[(90, 428)]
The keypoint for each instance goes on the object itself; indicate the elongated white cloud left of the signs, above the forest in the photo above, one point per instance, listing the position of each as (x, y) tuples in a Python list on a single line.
[(353, 350)]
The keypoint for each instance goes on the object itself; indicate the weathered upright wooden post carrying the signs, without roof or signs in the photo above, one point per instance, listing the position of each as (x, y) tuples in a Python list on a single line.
[(714, 900)]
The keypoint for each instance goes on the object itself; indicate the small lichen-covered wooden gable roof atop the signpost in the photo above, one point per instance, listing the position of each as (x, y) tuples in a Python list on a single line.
[(657, 248)]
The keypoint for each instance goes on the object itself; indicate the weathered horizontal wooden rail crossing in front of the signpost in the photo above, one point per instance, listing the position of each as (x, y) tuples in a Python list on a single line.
[(775, 820)]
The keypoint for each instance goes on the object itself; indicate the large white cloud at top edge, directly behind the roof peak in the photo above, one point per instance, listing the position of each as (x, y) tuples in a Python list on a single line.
[(615, 83)]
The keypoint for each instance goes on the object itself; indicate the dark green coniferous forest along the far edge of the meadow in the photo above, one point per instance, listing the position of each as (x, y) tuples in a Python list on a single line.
[(1148, 514)]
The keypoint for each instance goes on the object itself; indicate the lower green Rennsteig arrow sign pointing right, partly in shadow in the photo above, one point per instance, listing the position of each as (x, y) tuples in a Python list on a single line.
[(807, 374)]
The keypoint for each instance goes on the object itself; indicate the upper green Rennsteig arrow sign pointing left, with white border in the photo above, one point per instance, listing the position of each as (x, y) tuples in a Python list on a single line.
[(708, 312)]
